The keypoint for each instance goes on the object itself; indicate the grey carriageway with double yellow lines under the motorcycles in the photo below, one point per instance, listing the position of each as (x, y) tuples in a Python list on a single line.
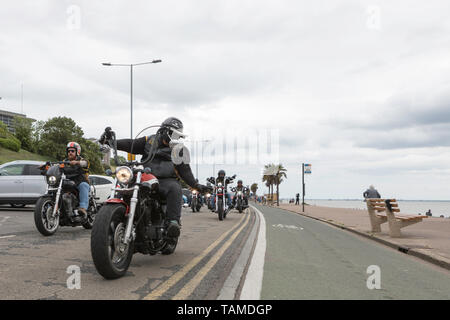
[(35, 267)]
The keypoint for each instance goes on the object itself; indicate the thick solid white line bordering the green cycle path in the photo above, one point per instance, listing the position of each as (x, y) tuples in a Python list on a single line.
[(251, 289)]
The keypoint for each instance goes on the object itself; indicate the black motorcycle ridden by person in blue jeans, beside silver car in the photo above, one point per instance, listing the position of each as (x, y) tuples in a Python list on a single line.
[(56, 207)]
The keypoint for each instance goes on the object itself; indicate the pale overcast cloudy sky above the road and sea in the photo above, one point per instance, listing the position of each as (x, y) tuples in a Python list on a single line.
[(358, 89)]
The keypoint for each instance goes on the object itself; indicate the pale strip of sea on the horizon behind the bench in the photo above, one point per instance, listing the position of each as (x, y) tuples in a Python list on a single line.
[(437, 208)]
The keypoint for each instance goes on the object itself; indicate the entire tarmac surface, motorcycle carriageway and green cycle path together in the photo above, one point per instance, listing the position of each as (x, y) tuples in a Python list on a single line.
[(294, 257)]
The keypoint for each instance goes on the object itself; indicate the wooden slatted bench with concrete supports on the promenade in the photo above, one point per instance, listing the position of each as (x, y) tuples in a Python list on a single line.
[(382, 210)]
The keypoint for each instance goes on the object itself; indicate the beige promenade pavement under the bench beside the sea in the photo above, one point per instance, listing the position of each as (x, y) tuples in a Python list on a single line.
[(428, 240)]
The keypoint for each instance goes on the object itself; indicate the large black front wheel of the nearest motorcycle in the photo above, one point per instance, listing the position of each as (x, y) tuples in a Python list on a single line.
[(111, 255)]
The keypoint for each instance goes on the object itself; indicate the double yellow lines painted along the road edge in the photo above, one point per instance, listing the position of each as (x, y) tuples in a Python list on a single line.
[(187, 290)]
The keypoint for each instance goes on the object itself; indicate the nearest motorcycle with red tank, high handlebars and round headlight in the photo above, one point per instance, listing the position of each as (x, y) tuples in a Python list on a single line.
[(132, 220)]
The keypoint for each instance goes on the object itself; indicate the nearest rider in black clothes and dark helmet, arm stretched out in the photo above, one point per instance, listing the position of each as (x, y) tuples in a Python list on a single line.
[(156, 150)]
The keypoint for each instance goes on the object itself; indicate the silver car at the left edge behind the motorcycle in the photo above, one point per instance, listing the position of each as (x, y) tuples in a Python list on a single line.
[(21, 183)]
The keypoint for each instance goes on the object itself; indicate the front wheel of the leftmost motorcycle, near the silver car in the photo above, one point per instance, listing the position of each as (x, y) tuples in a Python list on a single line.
[(45, 223)]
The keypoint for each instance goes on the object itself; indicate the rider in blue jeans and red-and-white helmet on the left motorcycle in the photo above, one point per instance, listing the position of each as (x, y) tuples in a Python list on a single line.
[(78, 171)]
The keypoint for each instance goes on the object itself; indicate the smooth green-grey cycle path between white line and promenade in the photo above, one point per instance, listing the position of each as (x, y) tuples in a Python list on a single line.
[(309, 259)]
